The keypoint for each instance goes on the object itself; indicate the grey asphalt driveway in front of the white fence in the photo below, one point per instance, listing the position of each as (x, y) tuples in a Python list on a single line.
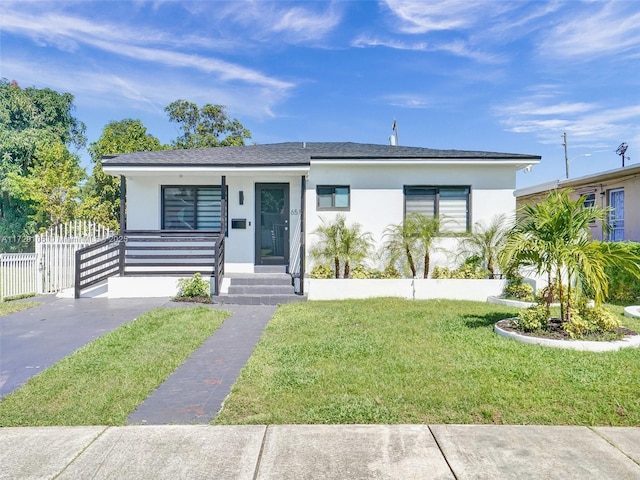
[(36, 338)]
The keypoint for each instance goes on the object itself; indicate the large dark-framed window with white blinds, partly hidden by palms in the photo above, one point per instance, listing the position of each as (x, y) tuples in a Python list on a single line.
[(451, 203)]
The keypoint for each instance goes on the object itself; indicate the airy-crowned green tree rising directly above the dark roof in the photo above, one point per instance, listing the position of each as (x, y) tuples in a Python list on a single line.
[(205, 127)]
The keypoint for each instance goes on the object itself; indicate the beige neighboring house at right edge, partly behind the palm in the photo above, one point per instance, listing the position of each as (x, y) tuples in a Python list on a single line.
[(617, 189)]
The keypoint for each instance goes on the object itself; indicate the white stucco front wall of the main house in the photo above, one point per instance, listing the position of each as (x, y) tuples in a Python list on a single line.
[(377, 200)]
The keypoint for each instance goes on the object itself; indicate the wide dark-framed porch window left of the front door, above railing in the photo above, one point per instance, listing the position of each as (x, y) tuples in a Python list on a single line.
[(191, 208)]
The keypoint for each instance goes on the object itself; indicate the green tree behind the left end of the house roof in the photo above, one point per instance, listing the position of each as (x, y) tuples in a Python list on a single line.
[(101, 194)]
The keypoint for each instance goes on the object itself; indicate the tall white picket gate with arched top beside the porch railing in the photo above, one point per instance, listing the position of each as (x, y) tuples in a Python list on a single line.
[(56, 252)]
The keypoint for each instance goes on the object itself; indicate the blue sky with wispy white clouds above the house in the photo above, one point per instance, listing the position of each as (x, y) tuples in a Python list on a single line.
[(471, 75)]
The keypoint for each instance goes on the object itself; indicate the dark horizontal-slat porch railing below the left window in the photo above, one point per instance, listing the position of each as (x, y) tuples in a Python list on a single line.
[(153, 253)]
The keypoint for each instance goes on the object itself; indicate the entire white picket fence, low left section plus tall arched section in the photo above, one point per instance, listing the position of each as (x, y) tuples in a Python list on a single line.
[(52, 267)]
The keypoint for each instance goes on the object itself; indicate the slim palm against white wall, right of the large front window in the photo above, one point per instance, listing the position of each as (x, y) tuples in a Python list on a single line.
[(487, 242)]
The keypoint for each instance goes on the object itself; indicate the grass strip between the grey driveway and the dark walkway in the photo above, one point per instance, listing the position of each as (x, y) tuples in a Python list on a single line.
[(101, 383)]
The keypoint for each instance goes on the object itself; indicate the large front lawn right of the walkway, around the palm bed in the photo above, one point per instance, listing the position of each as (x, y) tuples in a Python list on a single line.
[(396, 361)]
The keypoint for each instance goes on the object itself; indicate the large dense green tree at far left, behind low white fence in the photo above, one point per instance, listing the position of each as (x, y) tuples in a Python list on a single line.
[(31, 120)]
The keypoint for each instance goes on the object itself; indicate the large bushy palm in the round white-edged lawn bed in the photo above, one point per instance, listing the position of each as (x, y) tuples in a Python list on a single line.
[(554, 237)]
